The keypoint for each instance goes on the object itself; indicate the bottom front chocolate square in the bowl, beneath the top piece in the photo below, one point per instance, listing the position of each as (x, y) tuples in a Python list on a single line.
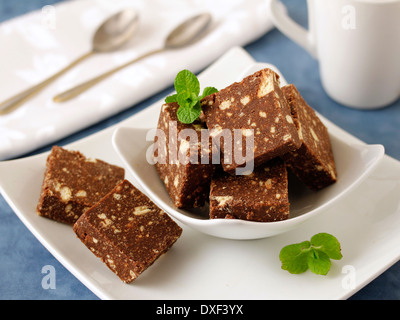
[(260, 196)]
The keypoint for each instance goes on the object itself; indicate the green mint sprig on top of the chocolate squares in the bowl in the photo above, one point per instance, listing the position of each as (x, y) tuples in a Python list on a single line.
[(187, 88)]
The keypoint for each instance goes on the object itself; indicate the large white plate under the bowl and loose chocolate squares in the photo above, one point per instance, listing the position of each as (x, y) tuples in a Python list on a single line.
[(366, 222)]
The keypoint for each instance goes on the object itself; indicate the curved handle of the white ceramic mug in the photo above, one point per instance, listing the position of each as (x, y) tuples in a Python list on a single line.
[(290, 28)]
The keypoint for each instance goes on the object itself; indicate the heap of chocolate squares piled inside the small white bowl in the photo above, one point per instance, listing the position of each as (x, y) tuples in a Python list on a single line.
[(256, 130)]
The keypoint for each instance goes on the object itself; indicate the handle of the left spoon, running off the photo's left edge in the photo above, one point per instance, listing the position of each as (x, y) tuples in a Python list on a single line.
[(12, 103)]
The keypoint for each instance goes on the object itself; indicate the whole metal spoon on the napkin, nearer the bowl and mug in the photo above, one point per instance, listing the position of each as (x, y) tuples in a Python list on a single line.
[(186, 33)]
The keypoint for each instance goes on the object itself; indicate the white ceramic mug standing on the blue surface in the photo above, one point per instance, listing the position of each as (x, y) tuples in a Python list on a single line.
[(357, 44)]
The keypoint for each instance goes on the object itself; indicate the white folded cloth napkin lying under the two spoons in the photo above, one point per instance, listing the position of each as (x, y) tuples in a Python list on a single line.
[(39, 44)]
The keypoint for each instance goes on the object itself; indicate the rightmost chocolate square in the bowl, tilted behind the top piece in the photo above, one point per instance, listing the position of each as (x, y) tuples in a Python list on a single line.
[(313, 163)]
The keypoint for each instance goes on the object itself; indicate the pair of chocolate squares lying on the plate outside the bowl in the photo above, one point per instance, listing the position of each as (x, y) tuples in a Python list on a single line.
[(116, 221)]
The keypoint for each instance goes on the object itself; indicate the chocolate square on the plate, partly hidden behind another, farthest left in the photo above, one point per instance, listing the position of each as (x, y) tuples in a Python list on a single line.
[(73, 183)]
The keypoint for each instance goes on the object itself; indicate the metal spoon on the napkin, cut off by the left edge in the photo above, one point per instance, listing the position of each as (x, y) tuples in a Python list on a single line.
[(111, 34)]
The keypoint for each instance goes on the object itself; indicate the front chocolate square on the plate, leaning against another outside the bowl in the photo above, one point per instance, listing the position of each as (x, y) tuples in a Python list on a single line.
[(127, 231)]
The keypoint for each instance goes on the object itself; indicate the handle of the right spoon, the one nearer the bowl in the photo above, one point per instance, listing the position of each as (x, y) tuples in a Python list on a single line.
[(75, 91)]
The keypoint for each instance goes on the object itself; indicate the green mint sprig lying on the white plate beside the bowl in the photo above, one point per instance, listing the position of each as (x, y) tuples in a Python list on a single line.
[(314, 255)]
